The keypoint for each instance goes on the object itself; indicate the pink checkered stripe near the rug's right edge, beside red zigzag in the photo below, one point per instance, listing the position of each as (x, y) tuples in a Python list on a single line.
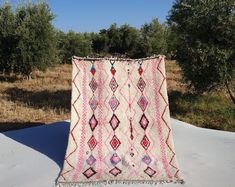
[(157, 115)]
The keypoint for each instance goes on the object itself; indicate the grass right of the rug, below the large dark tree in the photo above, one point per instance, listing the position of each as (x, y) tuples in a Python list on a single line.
[(212, 110)]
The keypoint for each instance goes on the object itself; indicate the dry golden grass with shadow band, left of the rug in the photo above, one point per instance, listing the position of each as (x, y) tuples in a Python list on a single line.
[(44, 99)]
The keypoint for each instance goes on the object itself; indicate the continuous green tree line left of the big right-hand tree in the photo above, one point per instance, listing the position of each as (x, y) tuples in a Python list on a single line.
[(29, 41)]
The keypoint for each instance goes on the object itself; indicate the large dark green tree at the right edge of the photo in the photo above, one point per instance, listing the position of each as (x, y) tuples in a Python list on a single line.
[(205, 33)]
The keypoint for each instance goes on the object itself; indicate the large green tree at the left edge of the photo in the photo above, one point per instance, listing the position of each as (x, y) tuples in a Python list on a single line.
[(31, 37)]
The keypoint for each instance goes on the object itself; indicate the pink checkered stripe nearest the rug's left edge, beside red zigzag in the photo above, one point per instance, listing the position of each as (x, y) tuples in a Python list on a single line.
[(84, 124)]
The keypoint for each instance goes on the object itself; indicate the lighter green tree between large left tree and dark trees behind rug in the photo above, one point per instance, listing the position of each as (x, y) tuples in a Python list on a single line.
[(73, 43)]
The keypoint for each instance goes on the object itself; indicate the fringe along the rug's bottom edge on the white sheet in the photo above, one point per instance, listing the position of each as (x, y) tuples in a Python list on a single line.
[(107, 182)]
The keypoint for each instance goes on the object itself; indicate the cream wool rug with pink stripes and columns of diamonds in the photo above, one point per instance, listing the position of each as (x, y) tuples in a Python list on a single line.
[(120, 125)]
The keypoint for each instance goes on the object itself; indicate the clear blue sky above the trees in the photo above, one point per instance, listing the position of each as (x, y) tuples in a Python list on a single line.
[(93, 15)]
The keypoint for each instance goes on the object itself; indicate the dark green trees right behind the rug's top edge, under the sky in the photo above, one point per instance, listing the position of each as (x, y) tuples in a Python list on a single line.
[(126, 40)]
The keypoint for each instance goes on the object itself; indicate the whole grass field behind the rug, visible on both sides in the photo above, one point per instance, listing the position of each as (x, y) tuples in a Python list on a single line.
[(46, 98)]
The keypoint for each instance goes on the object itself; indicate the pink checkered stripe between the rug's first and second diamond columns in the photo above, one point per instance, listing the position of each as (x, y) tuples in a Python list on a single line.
[(100, 120)]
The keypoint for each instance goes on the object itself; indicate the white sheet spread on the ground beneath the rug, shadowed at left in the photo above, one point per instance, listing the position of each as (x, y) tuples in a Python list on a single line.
[(33, 157)]
